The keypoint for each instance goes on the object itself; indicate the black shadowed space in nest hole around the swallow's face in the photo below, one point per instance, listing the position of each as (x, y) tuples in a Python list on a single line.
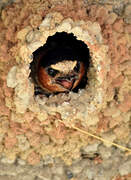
[(57, 48)]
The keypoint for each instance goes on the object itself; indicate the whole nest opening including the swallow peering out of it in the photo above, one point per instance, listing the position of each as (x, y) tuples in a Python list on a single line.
[(60, 65)]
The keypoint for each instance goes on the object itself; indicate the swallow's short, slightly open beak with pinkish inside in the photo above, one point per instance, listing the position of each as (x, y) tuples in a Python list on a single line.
[(67, 82)]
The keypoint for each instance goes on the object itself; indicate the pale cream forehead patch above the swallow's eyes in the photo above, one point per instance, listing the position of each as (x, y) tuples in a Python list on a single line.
[(65, 66)]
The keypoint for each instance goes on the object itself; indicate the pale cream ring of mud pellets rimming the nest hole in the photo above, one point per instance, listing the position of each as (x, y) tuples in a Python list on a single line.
[(82, 106)]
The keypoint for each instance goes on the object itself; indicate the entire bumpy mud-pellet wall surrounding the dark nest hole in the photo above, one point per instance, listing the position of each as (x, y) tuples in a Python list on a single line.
[(30, 130)]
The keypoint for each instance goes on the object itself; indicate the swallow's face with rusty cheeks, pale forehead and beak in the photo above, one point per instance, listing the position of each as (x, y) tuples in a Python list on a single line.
[(61, 77)]
